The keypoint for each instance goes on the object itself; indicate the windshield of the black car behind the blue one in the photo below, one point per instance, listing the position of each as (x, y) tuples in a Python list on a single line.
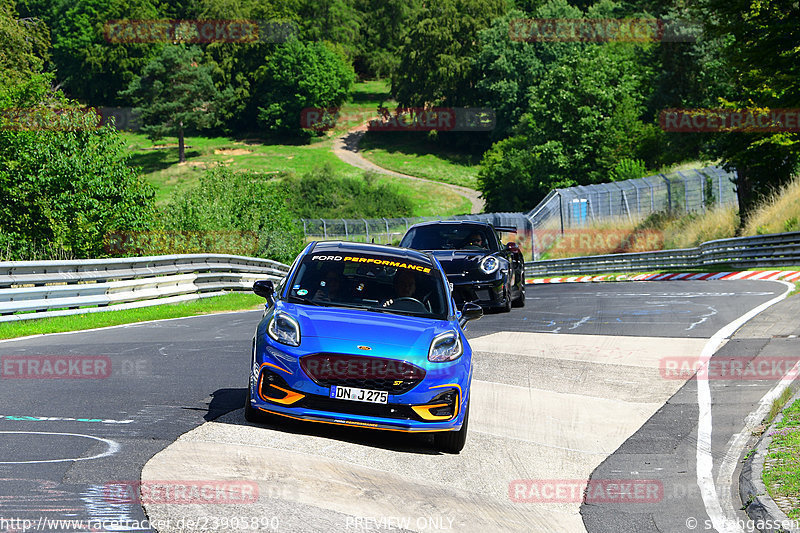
[(449, 237)]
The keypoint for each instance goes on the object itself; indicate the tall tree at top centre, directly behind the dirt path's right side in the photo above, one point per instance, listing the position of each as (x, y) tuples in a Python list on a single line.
[(436, 65)]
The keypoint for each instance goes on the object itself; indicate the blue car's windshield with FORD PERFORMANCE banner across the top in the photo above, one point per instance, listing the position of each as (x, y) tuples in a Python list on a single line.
[(372, 282)]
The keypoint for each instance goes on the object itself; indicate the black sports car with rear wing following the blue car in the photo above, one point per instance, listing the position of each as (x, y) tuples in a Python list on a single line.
[(478, 266)]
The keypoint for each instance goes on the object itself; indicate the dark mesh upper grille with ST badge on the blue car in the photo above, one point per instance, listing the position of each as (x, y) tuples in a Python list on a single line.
[(363, 372)]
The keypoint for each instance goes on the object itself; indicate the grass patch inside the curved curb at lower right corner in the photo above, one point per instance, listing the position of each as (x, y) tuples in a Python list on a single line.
[(782, 469)]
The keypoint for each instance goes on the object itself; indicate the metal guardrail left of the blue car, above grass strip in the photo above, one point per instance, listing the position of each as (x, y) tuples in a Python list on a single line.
[(38, 289)]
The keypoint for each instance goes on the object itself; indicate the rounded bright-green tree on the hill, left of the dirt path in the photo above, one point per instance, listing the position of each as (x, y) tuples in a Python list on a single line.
[(296, 76)]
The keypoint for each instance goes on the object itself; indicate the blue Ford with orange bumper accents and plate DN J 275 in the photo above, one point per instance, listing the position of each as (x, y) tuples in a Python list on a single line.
[(364, 335)]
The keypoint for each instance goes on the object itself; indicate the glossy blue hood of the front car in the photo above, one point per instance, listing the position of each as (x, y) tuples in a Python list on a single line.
[(342, 329)]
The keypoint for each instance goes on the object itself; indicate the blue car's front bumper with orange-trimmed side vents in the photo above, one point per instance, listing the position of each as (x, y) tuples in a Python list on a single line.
[(278, 385)]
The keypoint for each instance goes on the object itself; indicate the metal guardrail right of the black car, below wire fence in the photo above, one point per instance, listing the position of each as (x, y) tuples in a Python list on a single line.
[(779, 249)]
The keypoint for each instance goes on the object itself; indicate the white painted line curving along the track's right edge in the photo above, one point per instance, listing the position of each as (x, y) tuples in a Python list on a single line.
[(705, 461)]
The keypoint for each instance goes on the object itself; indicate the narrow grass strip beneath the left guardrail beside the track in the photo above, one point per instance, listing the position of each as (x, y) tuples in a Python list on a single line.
[(234, 301)]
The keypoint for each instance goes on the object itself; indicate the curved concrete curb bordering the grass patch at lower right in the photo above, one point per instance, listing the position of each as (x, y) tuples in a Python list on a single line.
[(762, 508)]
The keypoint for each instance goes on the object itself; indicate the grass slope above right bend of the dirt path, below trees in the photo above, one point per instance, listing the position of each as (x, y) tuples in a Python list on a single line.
[(416, 155)]
